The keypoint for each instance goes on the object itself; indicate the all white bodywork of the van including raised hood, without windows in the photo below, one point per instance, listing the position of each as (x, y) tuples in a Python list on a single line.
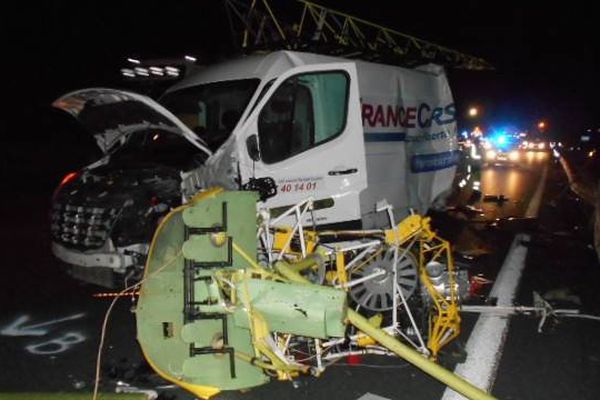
[(398, 142)]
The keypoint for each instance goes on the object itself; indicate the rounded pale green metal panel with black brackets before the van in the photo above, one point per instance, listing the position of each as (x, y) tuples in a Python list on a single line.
[(163, 333)]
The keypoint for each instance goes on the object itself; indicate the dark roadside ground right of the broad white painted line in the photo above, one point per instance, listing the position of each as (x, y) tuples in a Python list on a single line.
[(563, 361)]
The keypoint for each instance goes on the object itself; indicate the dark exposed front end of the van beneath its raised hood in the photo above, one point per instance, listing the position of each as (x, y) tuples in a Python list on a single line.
[(113, 203)]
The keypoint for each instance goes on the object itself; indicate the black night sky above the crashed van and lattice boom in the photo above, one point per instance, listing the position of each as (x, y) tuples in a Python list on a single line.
[(546, 55)]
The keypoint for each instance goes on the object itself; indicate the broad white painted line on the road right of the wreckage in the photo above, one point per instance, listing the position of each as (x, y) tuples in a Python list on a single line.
[(486, 343)]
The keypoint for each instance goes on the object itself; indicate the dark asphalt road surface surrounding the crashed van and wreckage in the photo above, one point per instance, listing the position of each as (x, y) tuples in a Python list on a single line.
[(45, 352)]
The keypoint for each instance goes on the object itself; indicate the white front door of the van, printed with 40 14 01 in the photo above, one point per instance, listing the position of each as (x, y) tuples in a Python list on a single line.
[(310, 141)]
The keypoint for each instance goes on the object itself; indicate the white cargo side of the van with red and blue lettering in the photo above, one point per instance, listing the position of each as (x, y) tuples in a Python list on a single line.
[(410, 135)]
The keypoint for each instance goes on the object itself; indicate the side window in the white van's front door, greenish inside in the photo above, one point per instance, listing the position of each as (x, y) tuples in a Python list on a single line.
[(305, 111)]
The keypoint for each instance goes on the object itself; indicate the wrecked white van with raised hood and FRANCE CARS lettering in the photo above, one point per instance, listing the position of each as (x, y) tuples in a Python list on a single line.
[(346, 133)]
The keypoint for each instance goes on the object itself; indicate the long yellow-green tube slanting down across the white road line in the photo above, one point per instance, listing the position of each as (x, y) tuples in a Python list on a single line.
[(440, 373)]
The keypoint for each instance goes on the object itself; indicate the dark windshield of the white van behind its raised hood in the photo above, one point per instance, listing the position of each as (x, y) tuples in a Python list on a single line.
[(211, 110)]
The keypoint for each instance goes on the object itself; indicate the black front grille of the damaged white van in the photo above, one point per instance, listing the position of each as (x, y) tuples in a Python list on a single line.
[(82, 227)]
